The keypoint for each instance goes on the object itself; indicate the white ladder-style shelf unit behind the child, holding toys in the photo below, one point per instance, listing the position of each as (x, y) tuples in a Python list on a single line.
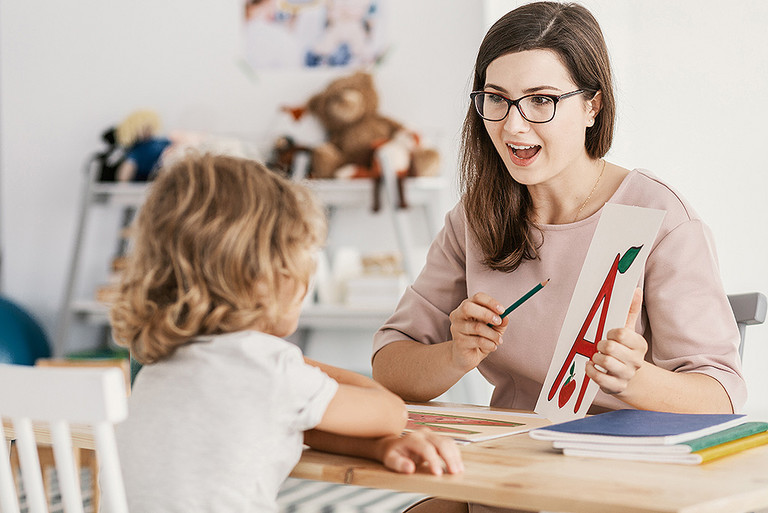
[(422, 193)]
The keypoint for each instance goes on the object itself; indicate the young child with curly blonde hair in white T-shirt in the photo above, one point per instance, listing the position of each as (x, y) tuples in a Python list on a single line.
[(222, 257)]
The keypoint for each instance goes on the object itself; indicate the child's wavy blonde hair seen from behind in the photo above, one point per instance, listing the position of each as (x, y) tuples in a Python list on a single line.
[(214, 241)]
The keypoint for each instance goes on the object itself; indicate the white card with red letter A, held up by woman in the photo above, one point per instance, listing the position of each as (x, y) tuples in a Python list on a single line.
[(600, 302)]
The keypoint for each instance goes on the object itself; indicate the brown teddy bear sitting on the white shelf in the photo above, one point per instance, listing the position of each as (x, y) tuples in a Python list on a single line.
[(362, 143)]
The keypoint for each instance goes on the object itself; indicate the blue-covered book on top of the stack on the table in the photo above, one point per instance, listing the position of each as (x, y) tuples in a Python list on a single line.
[(639, 427)]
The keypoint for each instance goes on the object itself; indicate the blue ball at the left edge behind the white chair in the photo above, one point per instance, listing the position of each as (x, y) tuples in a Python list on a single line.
[(22, 340)]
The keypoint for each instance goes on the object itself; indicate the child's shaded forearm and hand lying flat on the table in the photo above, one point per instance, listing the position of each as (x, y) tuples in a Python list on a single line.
[(404, 454)]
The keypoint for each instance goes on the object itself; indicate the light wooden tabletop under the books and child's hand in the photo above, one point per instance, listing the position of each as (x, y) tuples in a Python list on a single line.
[(519, 472)]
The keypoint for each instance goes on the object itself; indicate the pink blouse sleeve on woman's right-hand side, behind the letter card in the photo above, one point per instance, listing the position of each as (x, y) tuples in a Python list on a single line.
[(691, 324)]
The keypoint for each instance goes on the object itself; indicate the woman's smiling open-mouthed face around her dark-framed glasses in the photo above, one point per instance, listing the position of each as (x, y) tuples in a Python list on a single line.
[(536, 153)]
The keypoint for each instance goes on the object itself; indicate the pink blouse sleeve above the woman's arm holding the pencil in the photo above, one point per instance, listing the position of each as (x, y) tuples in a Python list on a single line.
[(422, 313)]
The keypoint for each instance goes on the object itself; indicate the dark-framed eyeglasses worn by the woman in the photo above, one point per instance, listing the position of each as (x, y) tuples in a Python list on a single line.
[(535, 108)]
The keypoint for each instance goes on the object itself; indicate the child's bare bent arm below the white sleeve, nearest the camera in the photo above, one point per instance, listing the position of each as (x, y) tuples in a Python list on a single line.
[(361, 407)]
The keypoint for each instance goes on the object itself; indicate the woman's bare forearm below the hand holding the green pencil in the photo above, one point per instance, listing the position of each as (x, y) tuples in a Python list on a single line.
[(414, 371)]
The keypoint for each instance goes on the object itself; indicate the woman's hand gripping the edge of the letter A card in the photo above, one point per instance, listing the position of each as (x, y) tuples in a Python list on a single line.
[(621, 354)]
